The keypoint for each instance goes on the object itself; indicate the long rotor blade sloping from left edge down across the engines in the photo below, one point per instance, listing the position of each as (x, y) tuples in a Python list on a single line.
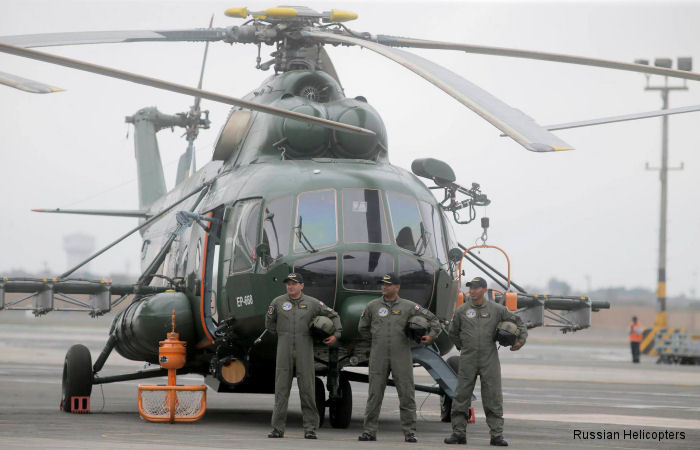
[(173, 87)]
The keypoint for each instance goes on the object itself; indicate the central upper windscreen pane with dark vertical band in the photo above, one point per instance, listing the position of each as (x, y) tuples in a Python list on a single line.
[(363, 217)]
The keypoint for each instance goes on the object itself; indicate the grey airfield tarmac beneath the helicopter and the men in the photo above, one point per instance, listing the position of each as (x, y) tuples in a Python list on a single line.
[(555, 385)]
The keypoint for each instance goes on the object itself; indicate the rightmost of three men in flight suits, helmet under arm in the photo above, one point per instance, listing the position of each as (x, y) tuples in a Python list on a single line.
[(472, 331)]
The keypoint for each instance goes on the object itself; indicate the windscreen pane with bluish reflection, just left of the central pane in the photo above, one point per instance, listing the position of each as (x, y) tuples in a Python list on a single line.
[(316, 221)]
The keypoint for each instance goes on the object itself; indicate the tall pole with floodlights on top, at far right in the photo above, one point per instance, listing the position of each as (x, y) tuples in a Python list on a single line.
[(665, 89)]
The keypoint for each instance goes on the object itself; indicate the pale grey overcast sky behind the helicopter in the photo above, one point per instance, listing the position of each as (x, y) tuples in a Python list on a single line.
[(590, 217)]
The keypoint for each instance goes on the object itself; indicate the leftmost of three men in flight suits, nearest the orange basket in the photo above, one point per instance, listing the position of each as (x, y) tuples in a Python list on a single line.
[(289, 316)]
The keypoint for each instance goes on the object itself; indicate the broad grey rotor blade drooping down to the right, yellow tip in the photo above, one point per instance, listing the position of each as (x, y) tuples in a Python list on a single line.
[(519, 126)]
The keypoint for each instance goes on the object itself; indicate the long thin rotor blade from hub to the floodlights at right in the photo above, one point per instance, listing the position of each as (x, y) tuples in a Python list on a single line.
[(395, 41)]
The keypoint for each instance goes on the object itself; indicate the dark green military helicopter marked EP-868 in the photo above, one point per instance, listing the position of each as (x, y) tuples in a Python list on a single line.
[(331, 207)]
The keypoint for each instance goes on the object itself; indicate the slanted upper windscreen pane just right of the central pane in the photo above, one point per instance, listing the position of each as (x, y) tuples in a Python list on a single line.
[(409, 231)]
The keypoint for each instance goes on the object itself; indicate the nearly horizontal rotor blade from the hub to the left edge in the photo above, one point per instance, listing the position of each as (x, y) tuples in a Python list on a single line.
[(113, 37)]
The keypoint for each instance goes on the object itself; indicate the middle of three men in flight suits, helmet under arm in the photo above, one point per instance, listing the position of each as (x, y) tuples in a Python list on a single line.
[(384, 321)]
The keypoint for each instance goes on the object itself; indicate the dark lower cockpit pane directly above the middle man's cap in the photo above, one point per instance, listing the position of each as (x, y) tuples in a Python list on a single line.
[(364, 270)]
